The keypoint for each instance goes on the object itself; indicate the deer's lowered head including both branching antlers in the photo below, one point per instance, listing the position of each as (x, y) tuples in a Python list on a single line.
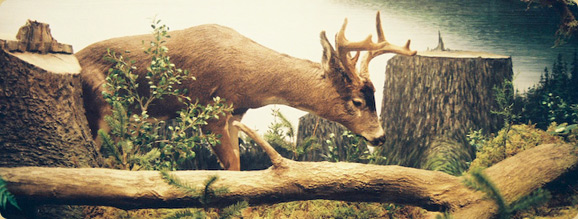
[(356, 109)]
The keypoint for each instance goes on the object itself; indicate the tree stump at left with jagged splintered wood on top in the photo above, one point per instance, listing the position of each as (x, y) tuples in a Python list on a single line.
[(41, 109)]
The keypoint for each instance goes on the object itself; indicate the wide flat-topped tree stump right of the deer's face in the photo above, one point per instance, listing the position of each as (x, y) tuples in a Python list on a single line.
[(432, 100)]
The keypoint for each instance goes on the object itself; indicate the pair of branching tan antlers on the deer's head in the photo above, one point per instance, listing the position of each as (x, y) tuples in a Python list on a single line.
[(344, 47)]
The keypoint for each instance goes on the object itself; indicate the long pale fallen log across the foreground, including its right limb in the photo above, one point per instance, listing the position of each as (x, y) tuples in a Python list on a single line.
[(289, 181)]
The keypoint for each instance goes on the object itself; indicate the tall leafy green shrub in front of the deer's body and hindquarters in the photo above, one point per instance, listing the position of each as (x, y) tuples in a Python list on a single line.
[(134, 142)]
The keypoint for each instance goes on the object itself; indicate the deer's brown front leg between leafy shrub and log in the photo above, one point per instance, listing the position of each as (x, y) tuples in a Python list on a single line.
[(228, 150)]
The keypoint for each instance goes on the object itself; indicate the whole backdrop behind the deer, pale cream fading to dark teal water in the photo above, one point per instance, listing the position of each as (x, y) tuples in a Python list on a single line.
[(503, 27)]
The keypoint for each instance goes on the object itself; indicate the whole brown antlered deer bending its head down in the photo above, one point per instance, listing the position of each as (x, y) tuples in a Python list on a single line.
[(249, 75)]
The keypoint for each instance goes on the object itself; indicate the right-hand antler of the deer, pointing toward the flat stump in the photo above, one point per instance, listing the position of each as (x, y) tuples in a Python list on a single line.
[(386, 47)]
